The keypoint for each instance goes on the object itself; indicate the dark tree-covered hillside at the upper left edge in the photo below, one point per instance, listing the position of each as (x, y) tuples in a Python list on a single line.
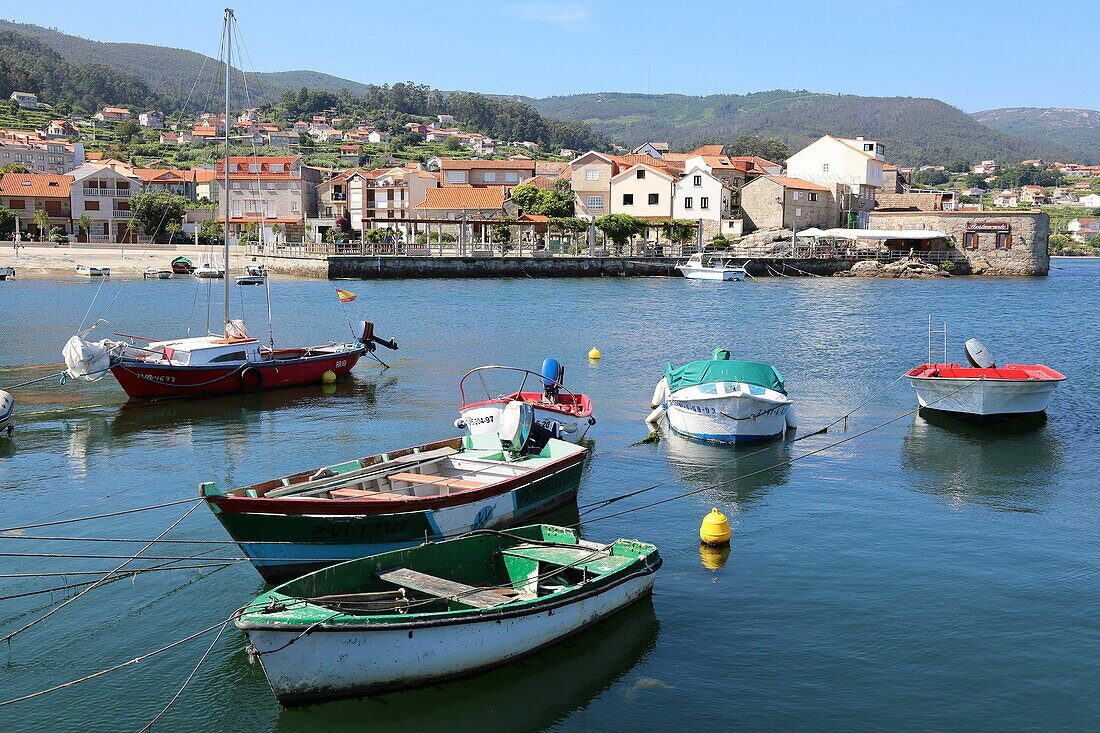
[(28, 65)]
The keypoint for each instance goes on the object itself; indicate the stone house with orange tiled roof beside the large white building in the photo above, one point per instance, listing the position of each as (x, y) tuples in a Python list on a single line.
[(787, 203)]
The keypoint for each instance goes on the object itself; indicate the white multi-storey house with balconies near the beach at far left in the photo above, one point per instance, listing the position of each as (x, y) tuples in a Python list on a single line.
[(102, 192)]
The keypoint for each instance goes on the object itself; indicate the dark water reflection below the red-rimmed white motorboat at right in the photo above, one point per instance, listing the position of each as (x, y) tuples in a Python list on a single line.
[(1004, 466)]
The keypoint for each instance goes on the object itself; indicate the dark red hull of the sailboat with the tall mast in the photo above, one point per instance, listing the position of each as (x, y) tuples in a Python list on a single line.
[(161, 381)]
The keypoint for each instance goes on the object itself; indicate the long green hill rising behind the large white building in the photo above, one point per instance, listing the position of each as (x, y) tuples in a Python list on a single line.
[(915, 130)]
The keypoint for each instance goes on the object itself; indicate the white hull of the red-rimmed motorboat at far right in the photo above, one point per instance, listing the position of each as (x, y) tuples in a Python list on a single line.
[(984, 398)]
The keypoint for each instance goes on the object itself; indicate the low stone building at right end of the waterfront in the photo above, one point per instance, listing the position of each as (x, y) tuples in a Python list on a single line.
[(992, 243)]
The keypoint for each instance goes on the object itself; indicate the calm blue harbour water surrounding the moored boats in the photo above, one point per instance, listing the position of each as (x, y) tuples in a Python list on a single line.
[(922, 577)]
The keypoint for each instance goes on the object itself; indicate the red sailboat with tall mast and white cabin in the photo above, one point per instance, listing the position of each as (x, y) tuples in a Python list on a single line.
[(228, 363)]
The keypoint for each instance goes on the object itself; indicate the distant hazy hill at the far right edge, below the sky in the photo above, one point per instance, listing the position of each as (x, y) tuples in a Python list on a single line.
[(1076, 130)]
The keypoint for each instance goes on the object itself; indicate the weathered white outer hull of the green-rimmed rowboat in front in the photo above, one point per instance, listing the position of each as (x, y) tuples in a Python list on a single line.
[(335, 663)]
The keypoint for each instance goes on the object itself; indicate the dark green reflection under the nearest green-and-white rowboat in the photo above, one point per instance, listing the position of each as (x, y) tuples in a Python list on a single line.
[(532, 695)]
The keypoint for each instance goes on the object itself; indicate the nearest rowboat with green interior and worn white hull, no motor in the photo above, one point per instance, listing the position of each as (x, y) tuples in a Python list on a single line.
[(441, 611)]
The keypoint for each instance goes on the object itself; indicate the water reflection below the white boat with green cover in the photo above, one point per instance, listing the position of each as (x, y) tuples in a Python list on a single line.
[(752, 469)]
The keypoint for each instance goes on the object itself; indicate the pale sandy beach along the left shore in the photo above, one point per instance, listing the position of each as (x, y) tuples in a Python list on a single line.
[(48, 261)]
